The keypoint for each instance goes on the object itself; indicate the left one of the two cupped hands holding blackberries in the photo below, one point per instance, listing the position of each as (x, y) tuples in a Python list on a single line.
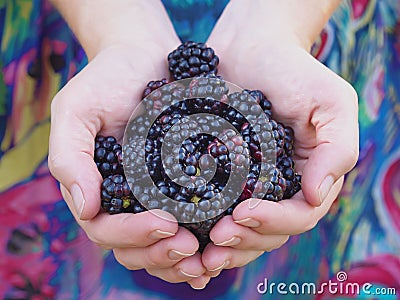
[(100, 100)]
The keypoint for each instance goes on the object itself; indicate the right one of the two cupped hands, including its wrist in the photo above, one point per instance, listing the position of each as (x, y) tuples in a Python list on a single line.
[(320, 106)]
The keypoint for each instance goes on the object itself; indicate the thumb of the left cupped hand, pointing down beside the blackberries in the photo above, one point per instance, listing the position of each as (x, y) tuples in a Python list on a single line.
[(71, 149)]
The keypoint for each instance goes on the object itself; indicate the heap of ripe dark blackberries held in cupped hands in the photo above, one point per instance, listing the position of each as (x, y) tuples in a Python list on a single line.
[(231, 151)]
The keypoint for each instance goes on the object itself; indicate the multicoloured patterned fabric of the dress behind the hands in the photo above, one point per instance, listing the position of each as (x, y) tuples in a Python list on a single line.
[(45, 255)]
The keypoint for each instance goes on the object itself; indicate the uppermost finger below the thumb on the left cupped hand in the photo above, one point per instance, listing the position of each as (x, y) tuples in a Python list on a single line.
[(127, 230)]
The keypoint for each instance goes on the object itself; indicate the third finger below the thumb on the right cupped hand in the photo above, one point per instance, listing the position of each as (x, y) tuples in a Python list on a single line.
[(217, 258)]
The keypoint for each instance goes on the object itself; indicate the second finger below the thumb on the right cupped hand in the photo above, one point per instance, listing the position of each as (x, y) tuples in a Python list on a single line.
[(226, 233)]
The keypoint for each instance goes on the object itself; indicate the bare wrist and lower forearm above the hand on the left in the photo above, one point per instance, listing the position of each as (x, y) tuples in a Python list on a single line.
[(102, 24)]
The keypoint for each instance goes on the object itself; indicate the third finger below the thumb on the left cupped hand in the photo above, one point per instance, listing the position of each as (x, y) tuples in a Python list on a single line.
[(185, 270)]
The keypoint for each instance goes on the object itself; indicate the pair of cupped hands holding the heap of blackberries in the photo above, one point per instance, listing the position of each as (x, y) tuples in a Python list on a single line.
[(320, 106)]
